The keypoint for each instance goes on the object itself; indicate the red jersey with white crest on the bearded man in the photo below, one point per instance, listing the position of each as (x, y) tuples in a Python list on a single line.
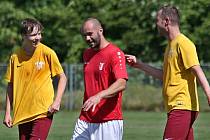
[(101, 69)]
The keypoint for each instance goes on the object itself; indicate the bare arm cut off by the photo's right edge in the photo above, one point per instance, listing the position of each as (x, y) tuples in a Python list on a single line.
[(198, 72)]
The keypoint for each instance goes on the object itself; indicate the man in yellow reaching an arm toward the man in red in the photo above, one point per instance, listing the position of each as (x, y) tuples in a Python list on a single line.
[(180, 70)]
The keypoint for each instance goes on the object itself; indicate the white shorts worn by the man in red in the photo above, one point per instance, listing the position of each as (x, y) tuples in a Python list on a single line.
[(110, 130)]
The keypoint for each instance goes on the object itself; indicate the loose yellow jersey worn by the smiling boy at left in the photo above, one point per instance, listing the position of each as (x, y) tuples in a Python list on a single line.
[(31, 77)]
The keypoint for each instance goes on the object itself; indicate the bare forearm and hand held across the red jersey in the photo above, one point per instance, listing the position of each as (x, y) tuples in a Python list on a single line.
[(116, 87)]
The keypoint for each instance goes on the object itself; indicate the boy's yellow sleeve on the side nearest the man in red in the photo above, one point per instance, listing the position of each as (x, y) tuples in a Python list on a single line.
[(55, 65)]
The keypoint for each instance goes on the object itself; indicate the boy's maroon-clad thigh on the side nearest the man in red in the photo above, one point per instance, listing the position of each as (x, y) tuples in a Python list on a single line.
[(41, 128)]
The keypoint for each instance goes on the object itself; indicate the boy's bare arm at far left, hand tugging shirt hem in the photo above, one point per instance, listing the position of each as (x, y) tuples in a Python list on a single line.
[(9, 100)]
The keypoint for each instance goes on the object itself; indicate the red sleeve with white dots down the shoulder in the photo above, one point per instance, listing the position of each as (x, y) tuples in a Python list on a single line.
[(118, 65)]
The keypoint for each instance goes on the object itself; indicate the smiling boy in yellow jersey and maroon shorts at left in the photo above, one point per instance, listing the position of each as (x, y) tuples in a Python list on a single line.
[(30, 90)]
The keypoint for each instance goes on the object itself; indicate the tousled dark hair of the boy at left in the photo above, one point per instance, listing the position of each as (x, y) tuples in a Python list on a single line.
[(28, 25)]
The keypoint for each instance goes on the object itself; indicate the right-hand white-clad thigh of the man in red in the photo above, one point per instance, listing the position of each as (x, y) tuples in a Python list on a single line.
[(111, 130)]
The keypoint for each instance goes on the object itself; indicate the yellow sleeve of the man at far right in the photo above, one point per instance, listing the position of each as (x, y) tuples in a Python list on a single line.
[(188, 54)]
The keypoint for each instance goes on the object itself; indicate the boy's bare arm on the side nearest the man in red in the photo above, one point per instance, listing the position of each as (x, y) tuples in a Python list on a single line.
[(60, 90)]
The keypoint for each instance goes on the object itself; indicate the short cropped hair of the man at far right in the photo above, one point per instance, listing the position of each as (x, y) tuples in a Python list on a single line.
[(171, 12)]
